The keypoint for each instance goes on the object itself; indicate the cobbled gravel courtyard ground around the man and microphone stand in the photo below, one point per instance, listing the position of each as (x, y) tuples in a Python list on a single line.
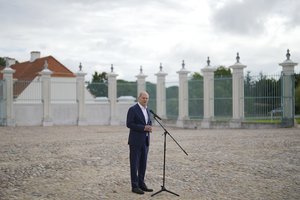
[(91, 162)]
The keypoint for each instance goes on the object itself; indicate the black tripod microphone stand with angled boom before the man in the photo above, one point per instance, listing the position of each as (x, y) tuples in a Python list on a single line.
[(163, 188)]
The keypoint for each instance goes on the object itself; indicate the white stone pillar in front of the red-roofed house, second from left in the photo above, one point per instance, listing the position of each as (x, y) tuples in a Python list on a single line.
[(46, 95)]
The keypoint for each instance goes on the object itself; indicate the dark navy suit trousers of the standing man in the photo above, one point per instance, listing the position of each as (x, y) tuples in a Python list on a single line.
[(138, 163)]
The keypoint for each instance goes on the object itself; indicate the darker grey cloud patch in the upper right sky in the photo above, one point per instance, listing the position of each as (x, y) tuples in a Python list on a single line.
[(250, 16)]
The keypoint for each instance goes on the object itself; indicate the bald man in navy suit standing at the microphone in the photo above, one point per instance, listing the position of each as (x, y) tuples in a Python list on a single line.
[(140, 125)]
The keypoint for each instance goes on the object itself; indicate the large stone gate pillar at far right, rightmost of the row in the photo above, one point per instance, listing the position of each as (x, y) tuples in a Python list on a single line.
[(287, 100)]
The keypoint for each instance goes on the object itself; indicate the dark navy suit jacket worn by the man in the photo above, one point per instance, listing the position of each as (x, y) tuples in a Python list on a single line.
[(136, 123)]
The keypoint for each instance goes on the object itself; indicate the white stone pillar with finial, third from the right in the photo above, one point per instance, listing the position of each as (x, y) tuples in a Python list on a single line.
[(208, 94)]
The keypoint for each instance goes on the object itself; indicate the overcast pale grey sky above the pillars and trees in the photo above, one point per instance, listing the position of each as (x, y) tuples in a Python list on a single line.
[(134, 33)]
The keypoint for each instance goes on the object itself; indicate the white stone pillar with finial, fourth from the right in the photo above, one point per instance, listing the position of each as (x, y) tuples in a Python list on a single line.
[(183, 98)]
